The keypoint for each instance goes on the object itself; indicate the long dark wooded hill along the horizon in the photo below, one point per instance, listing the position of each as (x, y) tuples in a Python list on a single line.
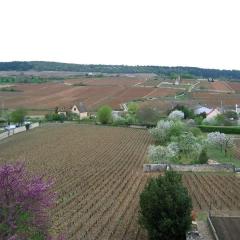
[(187, 72)]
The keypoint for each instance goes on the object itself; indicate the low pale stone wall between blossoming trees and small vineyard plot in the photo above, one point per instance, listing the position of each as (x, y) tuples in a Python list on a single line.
[(189, 168)]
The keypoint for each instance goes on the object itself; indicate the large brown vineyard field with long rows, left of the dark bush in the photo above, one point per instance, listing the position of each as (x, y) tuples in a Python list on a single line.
[(97, 172)]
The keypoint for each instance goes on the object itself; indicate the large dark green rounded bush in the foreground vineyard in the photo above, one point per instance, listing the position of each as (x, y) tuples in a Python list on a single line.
[(165, 208)]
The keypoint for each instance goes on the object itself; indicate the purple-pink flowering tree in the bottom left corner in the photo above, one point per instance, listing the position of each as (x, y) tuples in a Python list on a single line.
[(24, 202)]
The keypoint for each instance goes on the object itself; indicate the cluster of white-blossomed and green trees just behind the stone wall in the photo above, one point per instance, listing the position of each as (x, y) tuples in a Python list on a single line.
[(176, 141)]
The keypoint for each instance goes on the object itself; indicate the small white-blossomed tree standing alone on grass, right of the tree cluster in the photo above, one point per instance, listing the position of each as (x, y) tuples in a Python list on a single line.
[(221, 140)]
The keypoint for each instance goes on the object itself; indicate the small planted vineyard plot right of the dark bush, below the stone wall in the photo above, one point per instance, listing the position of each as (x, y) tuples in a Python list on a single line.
[(215, 192)]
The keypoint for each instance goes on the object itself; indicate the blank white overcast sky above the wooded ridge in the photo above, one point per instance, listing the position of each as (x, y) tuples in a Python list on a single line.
[(201, 33)]
